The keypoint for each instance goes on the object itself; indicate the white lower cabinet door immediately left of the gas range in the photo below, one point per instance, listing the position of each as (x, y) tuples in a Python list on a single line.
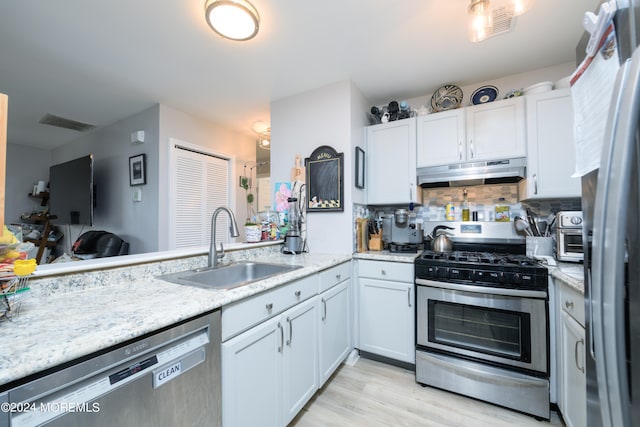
[(387, 319)]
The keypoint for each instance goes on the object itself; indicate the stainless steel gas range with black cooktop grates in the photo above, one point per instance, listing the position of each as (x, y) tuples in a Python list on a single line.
[(482, 328)]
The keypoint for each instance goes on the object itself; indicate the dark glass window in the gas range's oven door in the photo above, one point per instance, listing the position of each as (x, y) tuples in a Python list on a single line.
[(484, 330)]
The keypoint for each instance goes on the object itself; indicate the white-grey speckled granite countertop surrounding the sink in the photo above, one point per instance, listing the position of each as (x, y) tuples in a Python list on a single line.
[(54, 328)]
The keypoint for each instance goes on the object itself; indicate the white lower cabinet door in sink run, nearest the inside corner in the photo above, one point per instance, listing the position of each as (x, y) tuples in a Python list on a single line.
[(335, 329)]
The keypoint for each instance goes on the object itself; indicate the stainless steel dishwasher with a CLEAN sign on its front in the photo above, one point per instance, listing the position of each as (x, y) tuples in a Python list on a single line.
[(167, 378)]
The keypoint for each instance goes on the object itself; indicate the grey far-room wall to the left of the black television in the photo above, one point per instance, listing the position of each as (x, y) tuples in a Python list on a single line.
[(25, 167)]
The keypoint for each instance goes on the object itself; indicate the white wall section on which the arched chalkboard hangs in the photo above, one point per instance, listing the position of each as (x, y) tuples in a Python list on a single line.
[(304, 122)]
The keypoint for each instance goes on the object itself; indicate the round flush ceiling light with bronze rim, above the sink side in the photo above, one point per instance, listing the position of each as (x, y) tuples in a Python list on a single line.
[(232, 19)]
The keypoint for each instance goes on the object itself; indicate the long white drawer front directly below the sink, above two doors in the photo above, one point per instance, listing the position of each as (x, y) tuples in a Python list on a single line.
[(243, 314)]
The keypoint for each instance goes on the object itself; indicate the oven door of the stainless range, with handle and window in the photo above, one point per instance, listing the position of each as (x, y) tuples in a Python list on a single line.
[(472, 321)]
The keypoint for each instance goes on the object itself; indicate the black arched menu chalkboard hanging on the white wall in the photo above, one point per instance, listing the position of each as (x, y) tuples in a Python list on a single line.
[(325, 189)]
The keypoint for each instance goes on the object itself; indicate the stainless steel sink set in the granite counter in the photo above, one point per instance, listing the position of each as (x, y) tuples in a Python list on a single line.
[(228, 276)]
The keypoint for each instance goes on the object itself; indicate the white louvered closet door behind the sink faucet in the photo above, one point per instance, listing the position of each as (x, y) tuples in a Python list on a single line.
[(200, 185)]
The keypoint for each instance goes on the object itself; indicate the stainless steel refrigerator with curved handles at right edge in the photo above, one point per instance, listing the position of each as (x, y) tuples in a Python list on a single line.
[(611, 209)]
